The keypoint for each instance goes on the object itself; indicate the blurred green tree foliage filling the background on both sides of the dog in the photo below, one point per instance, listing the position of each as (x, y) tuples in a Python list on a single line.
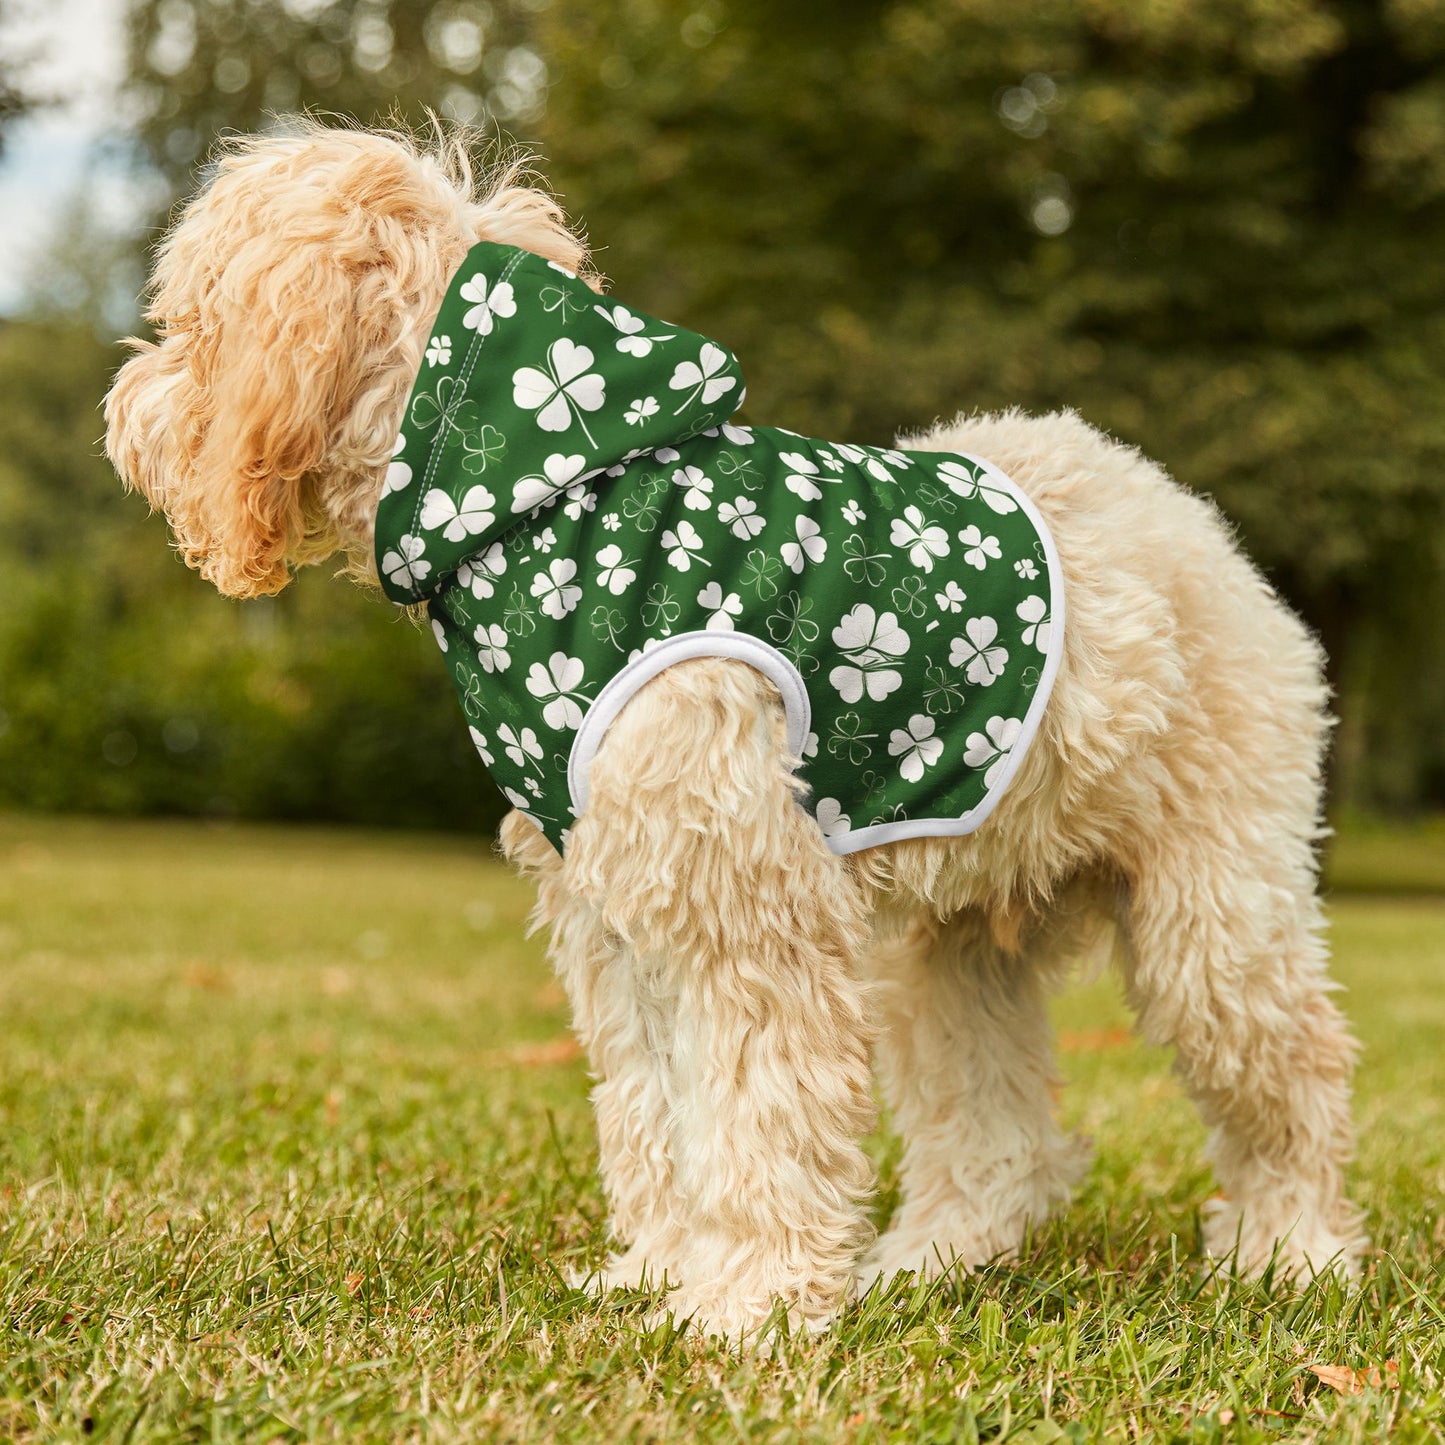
[(1216, 228)]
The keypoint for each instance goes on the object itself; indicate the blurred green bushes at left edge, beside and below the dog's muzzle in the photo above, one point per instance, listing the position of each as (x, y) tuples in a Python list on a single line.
[(129, 686)]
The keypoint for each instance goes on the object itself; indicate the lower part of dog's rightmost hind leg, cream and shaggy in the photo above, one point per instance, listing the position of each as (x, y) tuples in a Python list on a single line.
[(1225, 960)]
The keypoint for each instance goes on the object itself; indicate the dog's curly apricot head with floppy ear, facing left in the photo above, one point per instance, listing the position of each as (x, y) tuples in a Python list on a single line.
[(291, 303)]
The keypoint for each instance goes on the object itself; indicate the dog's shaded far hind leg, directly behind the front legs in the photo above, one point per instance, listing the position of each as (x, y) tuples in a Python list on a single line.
[(967, 1066)]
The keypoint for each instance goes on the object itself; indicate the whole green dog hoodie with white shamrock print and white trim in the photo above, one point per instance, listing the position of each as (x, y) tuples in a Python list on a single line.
[(569, 495)]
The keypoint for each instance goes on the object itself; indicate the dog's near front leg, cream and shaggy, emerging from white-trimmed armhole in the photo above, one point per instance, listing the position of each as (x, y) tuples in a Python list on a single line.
[(741, 934)]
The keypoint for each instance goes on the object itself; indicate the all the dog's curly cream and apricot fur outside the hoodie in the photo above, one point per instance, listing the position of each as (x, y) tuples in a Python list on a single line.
[(729, 976)]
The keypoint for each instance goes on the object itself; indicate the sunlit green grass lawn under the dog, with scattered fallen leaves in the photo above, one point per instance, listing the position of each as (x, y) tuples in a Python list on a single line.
[(293, 1147)]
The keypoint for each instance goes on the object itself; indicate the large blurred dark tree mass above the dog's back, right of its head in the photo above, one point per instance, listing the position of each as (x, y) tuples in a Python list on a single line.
[(1217, 230)]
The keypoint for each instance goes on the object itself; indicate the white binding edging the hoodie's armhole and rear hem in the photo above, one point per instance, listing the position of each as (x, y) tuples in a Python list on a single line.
[(798, 710)]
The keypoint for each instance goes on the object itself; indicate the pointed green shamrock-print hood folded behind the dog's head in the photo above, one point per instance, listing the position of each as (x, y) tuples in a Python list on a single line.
[(532, 387)]
